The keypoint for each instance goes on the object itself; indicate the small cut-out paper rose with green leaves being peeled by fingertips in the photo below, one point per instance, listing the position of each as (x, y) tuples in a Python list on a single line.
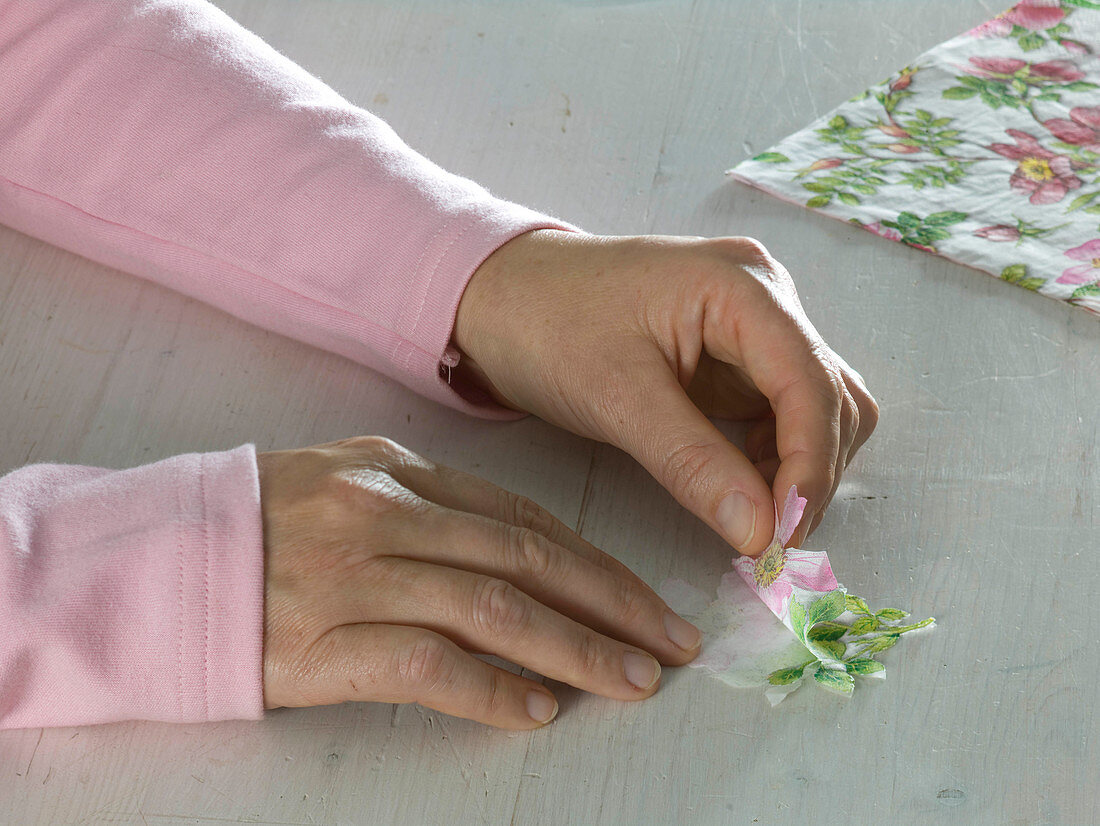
[(822, 631)]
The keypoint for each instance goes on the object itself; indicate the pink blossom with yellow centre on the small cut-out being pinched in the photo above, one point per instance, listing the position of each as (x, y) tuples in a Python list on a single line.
[(776, 574)]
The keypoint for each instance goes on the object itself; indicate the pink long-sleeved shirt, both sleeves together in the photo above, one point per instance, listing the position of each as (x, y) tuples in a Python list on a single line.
[(161, 138)]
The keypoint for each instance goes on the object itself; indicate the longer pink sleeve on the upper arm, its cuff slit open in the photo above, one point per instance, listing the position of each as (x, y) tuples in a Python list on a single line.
[(161, 138)]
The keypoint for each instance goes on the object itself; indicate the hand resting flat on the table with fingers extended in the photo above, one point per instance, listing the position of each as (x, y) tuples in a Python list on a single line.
[(384, 571)]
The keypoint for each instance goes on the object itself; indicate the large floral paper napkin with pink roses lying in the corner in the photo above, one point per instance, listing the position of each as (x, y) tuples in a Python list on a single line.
[(985, 151)]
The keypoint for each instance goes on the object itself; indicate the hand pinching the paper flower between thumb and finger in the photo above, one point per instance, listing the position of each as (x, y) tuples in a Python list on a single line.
[(635, 342)]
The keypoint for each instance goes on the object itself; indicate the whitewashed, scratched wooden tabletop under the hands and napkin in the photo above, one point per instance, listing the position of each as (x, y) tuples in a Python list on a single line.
[(974, 502)]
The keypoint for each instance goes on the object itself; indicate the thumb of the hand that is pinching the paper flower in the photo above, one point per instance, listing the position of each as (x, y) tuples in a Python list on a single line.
[(666, 433)]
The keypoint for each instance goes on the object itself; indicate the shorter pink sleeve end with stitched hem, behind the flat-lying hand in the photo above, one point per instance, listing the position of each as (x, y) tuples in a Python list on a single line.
[(131, 594)]
